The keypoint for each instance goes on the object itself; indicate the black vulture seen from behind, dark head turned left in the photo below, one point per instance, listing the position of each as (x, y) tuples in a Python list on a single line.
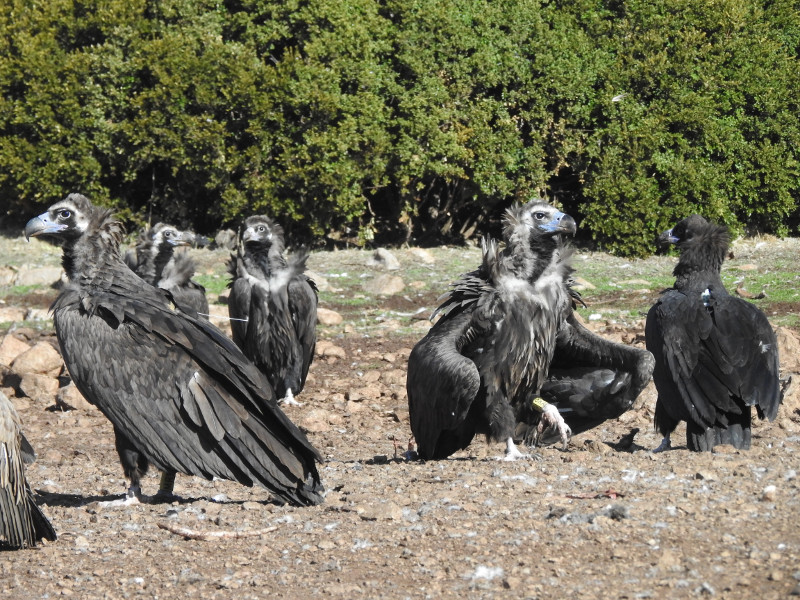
[(716, 355)]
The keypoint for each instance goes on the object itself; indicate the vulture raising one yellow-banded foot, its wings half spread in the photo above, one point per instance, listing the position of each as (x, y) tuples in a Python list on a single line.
[(508, 358)]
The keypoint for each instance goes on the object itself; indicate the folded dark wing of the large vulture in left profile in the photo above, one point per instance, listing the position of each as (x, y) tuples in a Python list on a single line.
[(182, 392)]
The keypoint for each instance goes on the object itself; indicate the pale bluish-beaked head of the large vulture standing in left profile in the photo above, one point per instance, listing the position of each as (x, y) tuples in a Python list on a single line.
[(66, 221)]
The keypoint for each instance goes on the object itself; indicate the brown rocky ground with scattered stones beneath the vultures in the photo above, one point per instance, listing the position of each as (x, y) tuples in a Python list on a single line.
[(594, 521)]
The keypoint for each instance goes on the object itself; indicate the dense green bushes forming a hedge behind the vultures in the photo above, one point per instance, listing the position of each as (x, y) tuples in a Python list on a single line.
[(405, 120)]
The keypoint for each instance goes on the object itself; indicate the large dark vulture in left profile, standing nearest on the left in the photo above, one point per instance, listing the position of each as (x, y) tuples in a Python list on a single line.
[(180, 395)]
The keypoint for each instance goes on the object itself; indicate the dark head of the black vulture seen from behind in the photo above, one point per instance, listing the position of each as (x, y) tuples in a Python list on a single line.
[(700, 243)]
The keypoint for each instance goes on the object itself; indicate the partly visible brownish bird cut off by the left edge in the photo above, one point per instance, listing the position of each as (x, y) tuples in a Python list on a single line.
[(22, 522)]
